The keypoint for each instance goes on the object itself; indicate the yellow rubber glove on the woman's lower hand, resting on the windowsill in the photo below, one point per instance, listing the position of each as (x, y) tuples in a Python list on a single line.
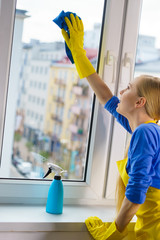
[(102, 231)]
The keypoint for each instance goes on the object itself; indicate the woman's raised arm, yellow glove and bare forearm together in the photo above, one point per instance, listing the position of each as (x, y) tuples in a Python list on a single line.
[(82, 63)]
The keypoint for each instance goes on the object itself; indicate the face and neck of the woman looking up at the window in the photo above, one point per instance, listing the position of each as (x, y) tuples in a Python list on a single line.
[(128, 99)]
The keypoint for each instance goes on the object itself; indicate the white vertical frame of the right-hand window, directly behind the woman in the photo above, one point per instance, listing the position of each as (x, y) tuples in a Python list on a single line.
[(128, 46)]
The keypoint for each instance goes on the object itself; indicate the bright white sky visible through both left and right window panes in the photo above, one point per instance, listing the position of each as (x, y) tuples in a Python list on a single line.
[(42, 12)]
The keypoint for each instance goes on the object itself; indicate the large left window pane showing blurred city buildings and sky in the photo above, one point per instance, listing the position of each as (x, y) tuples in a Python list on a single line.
[(51, 107)]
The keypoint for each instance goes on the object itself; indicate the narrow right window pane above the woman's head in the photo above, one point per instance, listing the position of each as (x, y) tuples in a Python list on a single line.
[(148, 54)]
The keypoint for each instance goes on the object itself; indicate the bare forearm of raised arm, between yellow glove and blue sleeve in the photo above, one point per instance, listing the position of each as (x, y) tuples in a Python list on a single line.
[(101, 90)]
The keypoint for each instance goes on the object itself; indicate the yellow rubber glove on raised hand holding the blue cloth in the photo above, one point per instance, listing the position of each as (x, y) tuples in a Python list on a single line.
[(75, 44)]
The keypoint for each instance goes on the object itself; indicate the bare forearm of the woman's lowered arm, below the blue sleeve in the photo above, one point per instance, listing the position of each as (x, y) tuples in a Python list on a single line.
[(126, 213)]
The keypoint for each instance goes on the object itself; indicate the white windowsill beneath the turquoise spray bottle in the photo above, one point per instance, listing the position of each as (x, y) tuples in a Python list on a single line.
[(34, 218)]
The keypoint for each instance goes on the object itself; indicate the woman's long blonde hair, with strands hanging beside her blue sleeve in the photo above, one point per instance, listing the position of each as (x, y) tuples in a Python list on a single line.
[(149, 88)]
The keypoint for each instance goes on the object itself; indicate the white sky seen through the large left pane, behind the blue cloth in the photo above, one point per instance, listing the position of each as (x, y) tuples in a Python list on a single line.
[(42, 12)]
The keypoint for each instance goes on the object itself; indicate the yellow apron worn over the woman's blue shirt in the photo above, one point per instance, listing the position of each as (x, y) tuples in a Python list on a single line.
[(147, 226)]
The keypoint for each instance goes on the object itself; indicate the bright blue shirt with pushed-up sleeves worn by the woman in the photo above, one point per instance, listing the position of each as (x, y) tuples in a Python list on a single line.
[(143, 166)]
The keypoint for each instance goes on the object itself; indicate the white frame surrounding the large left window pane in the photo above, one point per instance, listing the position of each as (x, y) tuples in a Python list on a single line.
[(103, 124)]
